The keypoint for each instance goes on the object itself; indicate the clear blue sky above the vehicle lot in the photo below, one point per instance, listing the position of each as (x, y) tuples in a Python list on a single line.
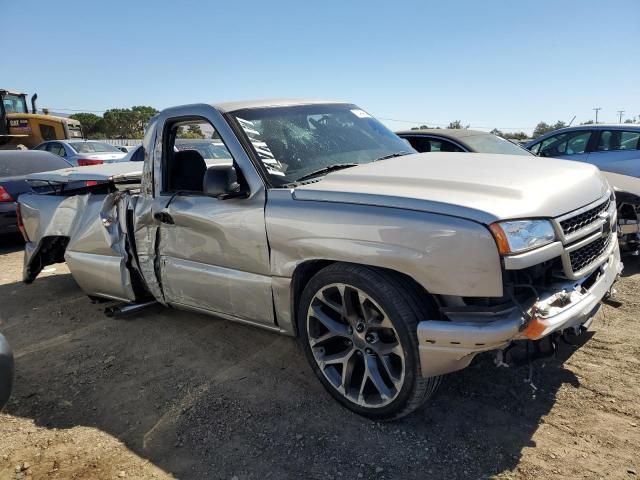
[(506, 64)]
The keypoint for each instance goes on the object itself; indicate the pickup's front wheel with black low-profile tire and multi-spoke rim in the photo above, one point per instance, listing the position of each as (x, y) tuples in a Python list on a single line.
[(358, 328)]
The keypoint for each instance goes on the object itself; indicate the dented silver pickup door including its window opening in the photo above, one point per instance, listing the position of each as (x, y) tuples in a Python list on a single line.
[(213, 253)]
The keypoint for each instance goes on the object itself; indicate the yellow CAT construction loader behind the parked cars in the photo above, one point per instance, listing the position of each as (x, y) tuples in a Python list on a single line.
[(20, 128)]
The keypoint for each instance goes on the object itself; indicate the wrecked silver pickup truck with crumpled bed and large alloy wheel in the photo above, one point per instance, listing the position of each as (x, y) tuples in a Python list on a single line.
[(392, 267)]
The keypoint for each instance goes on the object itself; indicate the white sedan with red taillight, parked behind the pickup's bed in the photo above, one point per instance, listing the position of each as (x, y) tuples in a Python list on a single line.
[(83, 152)]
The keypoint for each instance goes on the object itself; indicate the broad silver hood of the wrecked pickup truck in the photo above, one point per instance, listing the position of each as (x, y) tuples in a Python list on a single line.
[(481, 187)]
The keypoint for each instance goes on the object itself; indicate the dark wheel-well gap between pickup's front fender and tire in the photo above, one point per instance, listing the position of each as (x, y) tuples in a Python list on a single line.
[(306, 270)]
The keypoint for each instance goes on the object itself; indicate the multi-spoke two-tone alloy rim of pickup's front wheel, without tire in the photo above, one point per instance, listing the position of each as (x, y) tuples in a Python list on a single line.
[(355, 345)]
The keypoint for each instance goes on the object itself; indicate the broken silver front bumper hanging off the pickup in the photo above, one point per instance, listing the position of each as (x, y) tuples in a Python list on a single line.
[(447, 346)]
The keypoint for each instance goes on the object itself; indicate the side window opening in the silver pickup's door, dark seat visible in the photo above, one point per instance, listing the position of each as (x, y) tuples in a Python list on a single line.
[(192, 147)]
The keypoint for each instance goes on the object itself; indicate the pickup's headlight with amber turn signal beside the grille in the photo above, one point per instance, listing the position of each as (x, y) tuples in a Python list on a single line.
[(517, 236)]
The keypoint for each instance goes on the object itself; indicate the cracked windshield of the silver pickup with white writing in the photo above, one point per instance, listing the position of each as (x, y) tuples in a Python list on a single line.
[(295, 141)]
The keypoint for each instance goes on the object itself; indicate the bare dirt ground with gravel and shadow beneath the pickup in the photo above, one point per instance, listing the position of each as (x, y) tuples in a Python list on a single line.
[(171, 394)]
